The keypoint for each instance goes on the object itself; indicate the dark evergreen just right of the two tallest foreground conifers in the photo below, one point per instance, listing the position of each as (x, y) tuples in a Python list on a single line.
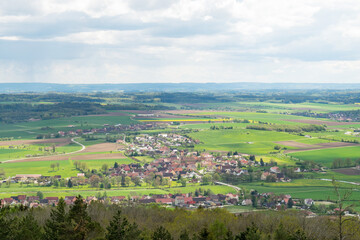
[(121, 229)]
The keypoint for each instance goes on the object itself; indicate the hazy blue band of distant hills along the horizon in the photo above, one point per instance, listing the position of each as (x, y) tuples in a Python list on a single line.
[(167, 87)]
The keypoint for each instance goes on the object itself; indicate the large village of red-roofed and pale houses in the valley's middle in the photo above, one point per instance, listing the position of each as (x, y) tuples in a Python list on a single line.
[(174, 164)]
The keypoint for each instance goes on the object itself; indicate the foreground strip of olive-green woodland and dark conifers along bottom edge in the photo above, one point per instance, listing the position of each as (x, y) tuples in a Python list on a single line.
[(105, 221)]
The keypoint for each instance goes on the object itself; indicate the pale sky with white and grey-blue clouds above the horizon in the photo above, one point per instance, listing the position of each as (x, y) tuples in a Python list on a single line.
[(135, 41)]
